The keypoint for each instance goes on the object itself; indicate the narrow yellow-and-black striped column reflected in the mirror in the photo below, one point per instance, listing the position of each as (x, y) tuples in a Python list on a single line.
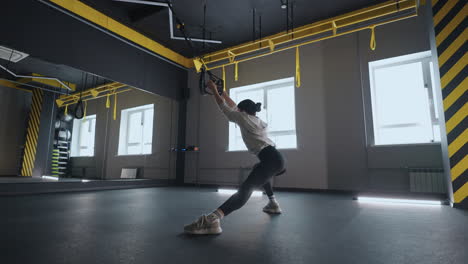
[(32, 134)]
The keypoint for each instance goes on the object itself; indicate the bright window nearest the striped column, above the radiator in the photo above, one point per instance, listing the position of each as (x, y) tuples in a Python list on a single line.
[(403, 100)]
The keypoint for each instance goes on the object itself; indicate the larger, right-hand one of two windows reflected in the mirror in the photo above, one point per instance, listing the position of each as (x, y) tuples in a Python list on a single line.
[(136, 130)]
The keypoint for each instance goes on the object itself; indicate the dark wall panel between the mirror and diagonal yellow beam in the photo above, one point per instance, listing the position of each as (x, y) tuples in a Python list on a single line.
[(51, 35)]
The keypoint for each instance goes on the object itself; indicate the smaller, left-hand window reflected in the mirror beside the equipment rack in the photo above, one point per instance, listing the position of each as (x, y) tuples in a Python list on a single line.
[(84, 131)]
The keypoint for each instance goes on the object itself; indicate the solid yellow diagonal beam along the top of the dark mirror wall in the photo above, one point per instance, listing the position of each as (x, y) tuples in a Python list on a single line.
[(100, 19)]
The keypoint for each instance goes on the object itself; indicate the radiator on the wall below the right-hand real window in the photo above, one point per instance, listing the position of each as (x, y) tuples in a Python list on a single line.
[(427, 180)]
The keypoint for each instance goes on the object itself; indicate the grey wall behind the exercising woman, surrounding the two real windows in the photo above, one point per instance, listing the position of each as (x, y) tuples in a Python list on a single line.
[(332, 107)]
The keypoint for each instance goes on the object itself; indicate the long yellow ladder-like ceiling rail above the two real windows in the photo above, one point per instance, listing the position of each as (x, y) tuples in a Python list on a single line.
[(331, 25)]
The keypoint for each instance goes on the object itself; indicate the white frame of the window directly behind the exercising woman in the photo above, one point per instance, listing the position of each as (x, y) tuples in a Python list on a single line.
[(265, 86)]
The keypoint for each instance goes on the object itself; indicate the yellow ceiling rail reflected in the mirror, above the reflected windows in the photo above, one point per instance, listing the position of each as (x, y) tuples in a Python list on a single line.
[(93, 93)]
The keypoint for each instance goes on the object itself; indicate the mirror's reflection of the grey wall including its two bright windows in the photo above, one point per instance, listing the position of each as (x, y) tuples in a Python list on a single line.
[(129, 139)]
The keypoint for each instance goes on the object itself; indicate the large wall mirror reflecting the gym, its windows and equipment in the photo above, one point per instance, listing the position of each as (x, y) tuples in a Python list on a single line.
[(98, 130)]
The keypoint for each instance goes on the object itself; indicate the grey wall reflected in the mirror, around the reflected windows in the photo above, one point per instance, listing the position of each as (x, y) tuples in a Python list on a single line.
[(106, 164)]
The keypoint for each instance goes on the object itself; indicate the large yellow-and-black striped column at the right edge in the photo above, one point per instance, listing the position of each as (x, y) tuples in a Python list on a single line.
[(450, 21)]
